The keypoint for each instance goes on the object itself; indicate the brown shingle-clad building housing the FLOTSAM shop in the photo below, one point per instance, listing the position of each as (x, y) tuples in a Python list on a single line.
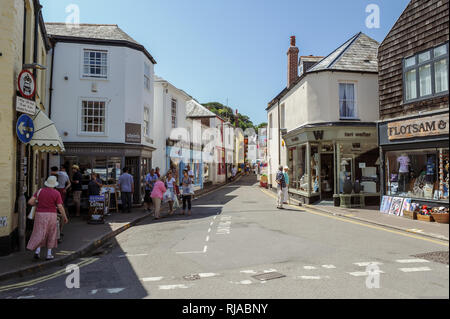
[(414, 110)]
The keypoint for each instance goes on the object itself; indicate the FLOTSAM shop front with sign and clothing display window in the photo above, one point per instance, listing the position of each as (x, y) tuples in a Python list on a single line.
[(415, 158)]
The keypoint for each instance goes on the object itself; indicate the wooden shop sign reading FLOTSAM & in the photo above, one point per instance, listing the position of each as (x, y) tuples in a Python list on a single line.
[(425, 126)]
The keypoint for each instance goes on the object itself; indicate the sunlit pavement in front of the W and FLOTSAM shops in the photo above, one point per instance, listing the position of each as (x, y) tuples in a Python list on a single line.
[(373, 216)]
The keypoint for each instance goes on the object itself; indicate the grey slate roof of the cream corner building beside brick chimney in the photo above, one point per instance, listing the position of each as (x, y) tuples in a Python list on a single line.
[(359, 53)]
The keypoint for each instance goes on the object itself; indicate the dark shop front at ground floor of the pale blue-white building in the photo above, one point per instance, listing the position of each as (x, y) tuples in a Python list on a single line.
[(108, 160)]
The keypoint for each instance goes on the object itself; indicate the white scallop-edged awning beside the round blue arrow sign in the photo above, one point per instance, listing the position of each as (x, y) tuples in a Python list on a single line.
[(46, 137)]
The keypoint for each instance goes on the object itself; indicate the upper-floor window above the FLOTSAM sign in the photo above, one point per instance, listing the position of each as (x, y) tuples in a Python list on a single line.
[(426, 74)]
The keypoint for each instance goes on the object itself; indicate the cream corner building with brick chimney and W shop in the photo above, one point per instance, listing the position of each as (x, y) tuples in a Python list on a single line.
[(323, 124)]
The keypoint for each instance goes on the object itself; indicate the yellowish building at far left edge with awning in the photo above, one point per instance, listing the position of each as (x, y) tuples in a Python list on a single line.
[(24, 46)]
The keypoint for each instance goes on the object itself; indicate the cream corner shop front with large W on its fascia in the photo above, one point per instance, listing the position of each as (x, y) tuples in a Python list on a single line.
[(323, 157)]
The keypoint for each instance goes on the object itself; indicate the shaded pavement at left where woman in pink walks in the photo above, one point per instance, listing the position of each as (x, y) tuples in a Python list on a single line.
[(80, 239)]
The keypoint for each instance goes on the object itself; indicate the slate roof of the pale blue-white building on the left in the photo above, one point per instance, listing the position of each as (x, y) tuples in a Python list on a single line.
[(94, 32)]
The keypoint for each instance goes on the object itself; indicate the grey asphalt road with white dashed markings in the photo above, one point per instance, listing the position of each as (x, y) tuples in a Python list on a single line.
[(236, 233)]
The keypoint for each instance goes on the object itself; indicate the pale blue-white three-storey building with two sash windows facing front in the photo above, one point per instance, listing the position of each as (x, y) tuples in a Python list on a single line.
[(102, 101)]
